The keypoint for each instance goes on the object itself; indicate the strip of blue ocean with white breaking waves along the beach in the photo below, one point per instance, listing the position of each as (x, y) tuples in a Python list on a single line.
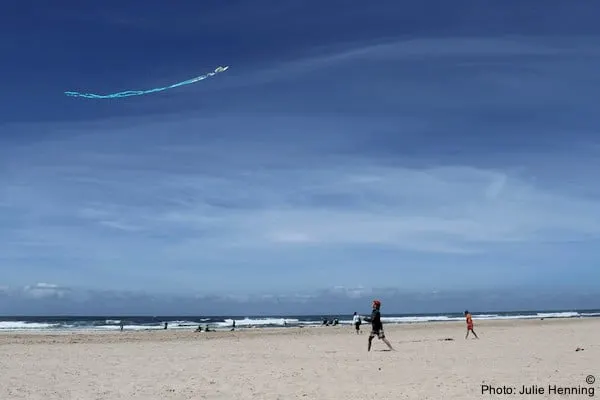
[(112, 323)]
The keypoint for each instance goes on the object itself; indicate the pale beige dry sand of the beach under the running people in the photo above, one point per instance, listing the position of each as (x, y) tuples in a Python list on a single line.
[(311, 363)]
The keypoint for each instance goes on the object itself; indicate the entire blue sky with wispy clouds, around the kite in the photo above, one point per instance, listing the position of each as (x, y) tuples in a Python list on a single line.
[(357, 149)]
